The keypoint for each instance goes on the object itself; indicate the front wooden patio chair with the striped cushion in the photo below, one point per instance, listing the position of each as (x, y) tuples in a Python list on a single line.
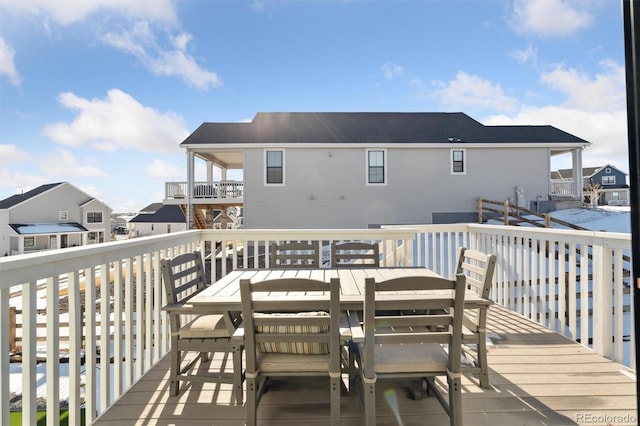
[(282, 342)]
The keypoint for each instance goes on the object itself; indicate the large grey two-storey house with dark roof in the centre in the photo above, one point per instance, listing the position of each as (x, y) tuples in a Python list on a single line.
[(352, 170)]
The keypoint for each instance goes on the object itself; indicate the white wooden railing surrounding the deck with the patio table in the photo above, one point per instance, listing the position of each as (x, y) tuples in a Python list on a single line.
[(569, 281)]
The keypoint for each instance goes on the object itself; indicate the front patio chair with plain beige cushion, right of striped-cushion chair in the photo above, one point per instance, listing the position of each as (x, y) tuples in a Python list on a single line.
[(411, 346)]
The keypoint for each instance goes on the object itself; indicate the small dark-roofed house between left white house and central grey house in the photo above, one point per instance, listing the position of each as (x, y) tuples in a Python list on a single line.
[(157, 219)]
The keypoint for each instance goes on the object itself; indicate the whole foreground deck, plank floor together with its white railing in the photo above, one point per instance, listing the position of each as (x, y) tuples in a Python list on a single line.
[(562, 331)]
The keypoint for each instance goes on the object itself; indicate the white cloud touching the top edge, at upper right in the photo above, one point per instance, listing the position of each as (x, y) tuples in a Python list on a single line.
[(550, 18)]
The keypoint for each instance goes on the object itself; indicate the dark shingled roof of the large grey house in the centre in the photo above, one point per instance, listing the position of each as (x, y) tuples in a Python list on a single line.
[(372, 127)]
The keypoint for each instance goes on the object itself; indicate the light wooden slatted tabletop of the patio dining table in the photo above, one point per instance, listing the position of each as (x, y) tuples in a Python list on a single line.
[(224, 294)]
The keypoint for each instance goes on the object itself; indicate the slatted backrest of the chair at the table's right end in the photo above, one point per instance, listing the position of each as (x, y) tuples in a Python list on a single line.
[(478, 267)]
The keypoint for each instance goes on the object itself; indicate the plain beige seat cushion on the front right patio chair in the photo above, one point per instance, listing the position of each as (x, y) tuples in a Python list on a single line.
[(409, 358)]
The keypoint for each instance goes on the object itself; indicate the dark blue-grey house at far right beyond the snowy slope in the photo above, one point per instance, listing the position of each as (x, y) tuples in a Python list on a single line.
[(611, 183)]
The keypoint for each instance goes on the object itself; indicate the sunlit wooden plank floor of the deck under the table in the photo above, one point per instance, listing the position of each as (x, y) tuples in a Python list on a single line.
[(537, 377)]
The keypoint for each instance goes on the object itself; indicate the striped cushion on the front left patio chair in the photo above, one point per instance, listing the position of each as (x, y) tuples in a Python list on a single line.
[(307, 348)]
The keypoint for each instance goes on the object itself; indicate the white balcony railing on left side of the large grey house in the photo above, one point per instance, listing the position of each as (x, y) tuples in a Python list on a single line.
[(223, 192)]
